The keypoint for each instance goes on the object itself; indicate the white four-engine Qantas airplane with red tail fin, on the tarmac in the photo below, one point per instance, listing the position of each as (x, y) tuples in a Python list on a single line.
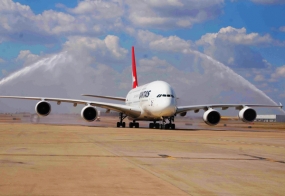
[(155, 102)]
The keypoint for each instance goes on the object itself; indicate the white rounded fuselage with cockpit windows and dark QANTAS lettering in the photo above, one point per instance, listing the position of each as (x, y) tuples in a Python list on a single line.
[(156, 100)]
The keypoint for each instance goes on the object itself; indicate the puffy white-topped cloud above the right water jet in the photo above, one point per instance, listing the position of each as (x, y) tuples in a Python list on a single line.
[(233, 47)]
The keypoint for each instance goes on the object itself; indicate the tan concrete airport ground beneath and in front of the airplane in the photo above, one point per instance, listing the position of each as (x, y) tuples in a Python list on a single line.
[(230, 159)]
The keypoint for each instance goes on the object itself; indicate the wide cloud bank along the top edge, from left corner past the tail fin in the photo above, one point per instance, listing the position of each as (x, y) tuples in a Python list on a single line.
[(92, 18)]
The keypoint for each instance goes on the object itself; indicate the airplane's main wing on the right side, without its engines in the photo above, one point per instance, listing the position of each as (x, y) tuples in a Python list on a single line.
[(196, 108)]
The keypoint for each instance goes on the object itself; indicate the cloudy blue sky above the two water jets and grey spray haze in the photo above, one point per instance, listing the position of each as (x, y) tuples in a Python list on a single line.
[(246, 36)]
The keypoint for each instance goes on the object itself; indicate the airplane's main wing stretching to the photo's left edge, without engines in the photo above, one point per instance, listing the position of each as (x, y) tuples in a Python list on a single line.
[(128, 110)]
